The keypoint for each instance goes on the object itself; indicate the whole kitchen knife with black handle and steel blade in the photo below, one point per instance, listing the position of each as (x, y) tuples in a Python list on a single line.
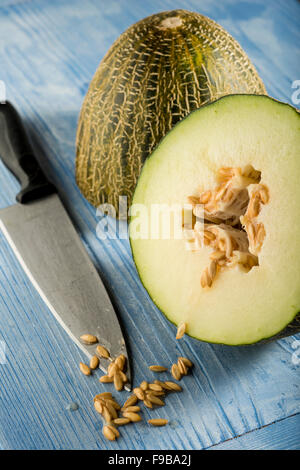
[(48, 248)]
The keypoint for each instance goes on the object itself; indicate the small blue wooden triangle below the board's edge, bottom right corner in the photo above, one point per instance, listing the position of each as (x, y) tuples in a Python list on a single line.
[(282, 435)]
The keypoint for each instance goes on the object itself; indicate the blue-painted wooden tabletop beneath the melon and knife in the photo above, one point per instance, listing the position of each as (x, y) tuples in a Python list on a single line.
[(243, 397)]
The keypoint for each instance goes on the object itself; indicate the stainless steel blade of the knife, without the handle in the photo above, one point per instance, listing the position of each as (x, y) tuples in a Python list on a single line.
[(53, 257)]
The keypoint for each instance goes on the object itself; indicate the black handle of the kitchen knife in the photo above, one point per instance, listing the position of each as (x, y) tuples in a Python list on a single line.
[(18, 156)]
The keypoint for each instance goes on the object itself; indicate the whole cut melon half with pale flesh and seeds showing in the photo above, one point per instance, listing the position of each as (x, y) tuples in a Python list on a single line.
[(215, 221)]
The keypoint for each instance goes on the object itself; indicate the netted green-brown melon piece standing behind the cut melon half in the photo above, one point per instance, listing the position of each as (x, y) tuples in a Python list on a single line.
[(158, 71)]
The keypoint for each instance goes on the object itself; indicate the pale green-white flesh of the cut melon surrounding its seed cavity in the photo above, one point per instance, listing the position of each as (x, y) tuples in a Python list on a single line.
[(240, 308)]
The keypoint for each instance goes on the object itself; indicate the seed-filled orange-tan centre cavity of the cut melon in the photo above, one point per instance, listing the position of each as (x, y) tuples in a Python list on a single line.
[(231, 228)]
